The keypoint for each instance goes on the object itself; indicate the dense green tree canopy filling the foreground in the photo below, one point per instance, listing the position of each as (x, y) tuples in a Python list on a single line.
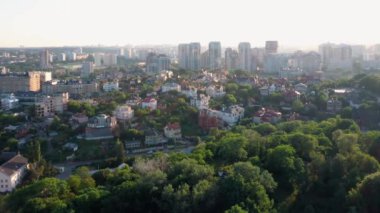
[(294, 166)]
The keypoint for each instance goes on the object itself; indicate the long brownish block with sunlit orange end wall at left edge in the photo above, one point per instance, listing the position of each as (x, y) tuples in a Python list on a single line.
[(20, 82)]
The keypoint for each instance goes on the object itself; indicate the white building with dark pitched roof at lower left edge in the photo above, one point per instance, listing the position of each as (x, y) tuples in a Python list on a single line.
[(12, 172)]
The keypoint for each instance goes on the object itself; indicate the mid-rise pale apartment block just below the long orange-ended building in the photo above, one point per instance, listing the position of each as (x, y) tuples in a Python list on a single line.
[(50, 105)]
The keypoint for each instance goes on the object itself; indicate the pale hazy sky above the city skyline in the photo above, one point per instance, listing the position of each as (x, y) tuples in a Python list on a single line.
[(120, 22)]
